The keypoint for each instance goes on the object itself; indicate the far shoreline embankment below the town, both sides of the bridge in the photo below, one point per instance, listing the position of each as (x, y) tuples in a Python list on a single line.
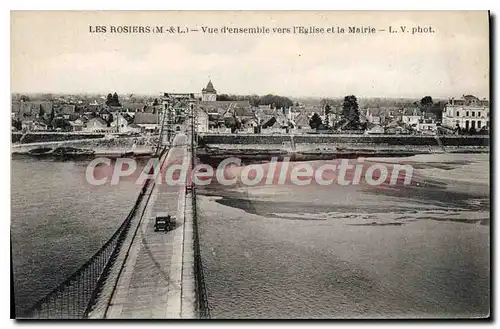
[(261, 147)]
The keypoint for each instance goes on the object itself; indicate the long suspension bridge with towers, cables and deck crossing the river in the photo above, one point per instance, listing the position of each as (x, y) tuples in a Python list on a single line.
[(140, 273)]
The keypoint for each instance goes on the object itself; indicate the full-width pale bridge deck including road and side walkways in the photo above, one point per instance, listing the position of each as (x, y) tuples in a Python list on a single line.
[(147, 281)]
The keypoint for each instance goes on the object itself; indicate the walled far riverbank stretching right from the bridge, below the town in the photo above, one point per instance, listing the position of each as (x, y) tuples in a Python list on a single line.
[(262, 147)]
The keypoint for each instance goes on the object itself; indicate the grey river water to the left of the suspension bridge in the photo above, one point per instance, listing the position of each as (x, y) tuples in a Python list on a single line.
[(58, 221)]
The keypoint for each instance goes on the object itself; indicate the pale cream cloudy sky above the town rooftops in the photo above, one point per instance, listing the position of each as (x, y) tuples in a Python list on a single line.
[(55, 52)]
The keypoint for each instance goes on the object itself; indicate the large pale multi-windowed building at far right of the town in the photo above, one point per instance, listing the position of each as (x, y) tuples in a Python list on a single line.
[(467, 113)]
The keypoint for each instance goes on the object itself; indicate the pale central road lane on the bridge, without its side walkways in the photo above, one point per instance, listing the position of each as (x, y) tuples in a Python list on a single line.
[(149, 283)]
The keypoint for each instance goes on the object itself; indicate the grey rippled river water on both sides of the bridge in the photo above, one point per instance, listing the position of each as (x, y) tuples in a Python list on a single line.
[(279, 252)]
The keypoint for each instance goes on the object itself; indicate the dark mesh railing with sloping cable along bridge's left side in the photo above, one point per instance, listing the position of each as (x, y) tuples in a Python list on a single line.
[(73, 298)]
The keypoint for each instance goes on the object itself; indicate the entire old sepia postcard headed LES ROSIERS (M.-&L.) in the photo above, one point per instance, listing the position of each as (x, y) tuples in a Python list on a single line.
[(250, 165)]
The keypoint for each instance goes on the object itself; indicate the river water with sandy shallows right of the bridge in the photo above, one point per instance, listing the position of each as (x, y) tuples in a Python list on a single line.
[(352, 251)]
